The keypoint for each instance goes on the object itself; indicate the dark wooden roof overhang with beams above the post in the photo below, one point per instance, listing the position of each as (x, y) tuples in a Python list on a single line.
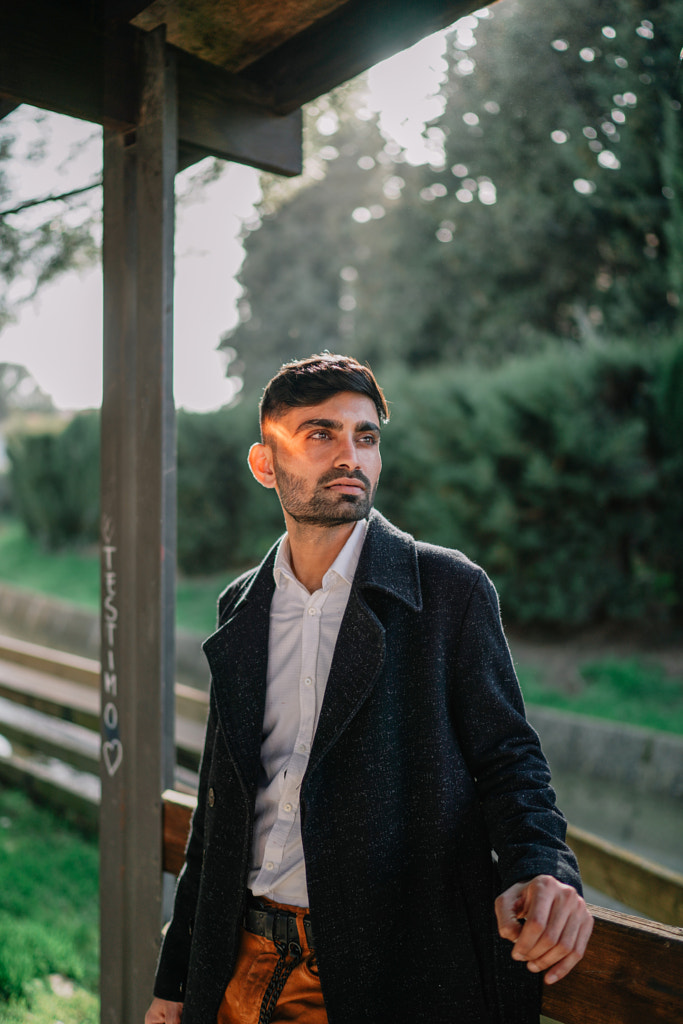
[(238, 62)]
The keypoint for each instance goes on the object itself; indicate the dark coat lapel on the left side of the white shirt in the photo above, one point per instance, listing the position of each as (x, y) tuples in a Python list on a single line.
[(238, 656)]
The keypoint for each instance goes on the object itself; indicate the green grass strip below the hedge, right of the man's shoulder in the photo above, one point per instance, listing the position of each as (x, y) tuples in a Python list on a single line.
[(627, 691)]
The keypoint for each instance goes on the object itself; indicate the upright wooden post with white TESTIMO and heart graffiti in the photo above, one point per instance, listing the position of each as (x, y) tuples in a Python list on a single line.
[(138, 535)]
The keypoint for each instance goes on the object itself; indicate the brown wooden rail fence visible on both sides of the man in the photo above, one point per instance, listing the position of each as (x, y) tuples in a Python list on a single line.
[(633, 970)]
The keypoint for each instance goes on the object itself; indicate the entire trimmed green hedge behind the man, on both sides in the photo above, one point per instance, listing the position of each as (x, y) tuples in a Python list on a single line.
[(562, 474)]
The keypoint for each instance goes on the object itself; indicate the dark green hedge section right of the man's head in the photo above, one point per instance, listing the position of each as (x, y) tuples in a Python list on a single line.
[(562, 474)]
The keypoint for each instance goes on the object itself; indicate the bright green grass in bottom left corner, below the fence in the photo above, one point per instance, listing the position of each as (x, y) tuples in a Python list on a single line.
[(48, 928)]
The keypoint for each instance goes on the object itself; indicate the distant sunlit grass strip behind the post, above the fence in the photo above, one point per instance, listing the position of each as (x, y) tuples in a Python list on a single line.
[(74, 576)]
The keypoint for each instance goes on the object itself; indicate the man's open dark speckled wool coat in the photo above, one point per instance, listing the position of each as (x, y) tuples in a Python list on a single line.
[(426, 795)]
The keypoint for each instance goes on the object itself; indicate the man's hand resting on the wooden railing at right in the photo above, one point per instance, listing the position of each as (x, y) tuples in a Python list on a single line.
[(548, 923)]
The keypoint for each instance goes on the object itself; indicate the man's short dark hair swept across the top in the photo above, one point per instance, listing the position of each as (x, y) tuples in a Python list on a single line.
[(311, 381)]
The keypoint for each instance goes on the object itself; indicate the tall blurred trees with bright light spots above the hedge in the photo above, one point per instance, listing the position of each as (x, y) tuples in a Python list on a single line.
[(556, 208)]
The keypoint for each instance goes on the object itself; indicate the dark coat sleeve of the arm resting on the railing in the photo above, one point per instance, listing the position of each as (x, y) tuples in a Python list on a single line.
[(503, 751)]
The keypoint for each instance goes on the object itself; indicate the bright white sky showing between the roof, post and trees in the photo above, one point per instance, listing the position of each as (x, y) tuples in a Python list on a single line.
[(58, 336)]
